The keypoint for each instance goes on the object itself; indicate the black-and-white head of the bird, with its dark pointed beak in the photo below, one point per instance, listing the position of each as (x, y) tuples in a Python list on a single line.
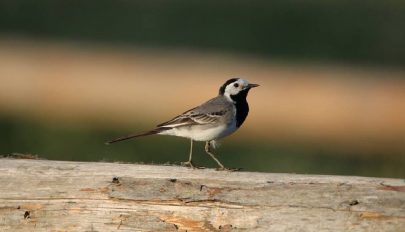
[(236, 88)]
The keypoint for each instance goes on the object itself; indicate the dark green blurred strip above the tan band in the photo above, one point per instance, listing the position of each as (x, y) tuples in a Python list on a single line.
[(349, 31)]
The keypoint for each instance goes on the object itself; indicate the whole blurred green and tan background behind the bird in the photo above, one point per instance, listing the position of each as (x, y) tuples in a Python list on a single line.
[(74, 74)]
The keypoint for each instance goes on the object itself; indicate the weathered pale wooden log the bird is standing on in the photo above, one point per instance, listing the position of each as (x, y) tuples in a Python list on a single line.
[(40, 195)]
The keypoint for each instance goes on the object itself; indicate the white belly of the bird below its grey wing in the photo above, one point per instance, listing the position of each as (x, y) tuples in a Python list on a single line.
[(202, 132)]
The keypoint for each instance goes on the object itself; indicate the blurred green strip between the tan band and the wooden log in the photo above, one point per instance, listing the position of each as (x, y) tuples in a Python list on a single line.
[(63, 141)]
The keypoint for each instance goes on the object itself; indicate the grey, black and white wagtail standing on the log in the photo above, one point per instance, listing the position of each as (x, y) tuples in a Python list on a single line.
[(215, 119)]
